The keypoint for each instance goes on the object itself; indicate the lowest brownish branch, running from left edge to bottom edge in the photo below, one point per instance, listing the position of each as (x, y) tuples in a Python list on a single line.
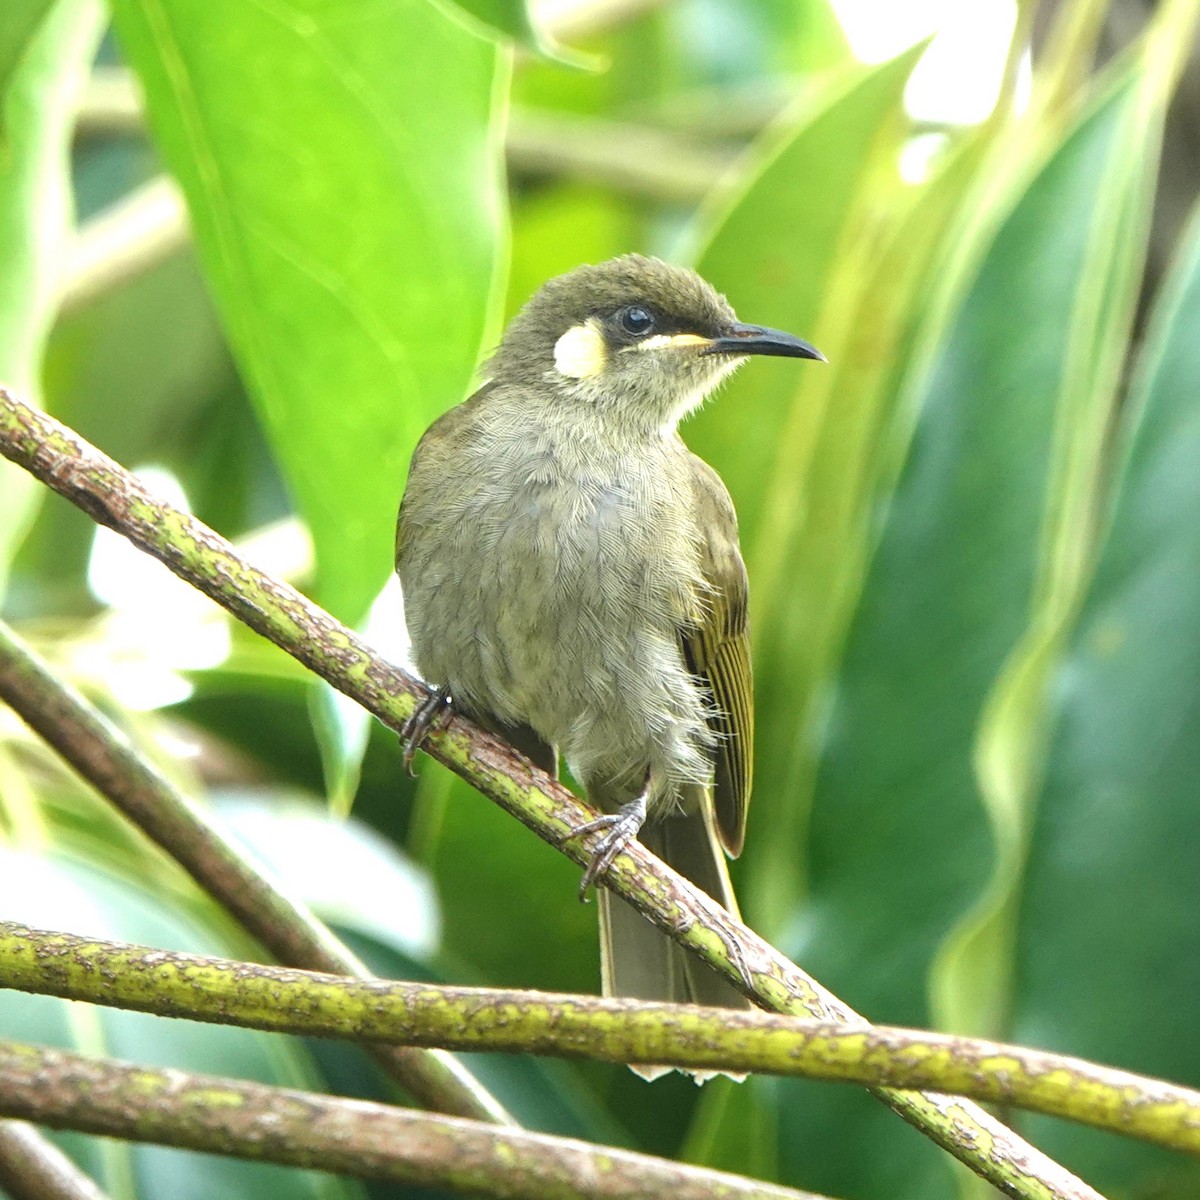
[(358, 1138)]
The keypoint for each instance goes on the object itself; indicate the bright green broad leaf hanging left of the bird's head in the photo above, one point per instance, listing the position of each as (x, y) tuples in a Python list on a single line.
[(343, 175)]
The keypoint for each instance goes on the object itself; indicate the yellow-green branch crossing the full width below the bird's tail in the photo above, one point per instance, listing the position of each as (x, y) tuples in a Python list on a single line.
[(223, 992)]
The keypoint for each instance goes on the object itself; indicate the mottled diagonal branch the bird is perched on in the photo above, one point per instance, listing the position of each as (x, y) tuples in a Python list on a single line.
[(112, 496)]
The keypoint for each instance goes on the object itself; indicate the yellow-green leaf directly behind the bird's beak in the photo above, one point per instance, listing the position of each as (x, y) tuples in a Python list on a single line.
[(761, 433)]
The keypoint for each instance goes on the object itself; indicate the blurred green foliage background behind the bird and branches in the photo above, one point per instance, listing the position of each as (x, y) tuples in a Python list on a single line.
[(974, 541)]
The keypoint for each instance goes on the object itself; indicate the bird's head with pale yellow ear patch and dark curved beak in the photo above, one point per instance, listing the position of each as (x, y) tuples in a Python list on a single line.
[(643, 339)]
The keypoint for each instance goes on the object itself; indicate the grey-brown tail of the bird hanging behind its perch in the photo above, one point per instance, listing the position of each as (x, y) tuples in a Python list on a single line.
[(640, 962)]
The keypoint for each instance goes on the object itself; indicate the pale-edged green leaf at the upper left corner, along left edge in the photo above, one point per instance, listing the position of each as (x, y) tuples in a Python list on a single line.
[(45, 56)]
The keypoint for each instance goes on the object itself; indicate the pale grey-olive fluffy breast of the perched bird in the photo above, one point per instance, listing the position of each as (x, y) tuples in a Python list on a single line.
[(556, 586)]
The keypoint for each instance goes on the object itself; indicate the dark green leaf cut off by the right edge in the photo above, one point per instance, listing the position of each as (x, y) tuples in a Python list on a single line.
[(1109, 945)]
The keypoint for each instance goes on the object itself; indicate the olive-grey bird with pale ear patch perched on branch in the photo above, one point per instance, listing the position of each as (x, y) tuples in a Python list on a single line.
[(573, 581)]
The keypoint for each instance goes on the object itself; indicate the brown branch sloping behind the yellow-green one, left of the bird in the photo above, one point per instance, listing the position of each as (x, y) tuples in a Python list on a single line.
[(104, 757)]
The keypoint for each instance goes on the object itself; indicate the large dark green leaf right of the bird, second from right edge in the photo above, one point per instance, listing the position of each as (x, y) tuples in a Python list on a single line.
[(898, 844)]
